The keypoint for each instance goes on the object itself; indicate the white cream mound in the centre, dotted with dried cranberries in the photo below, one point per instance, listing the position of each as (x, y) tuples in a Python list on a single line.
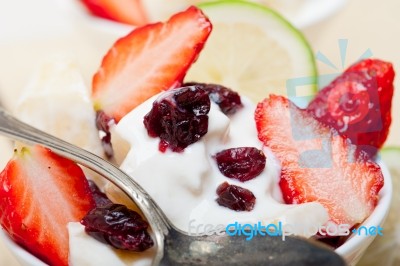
[(184, 184)]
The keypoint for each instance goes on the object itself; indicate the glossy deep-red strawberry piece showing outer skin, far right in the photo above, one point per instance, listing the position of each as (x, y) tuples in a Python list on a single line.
[(358, 104)]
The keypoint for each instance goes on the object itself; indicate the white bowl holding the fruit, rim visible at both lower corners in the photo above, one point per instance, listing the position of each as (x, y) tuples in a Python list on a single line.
[(352, 250)]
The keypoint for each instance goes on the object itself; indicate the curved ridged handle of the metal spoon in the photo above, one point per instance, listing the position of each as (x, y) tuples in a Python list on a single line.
[(17, 130)]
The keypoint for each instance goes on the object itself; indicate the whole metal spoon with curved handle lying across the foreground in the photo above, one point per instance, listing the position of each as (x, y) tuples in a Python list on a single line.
[(175, 247)]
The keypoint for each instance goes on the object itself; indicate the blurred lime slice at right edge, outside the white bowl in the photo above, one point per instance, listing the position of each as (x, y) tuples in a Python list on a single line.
[(385, 249)]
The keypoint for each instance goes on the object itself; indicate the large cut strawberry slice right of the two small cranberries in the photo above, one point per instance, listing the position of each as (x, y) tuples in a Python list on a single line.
[(317, 163)]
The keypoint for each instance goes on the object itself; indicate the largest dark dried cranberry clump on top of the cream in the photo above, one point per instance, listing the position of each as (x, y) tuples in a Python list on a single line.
[(179, 118)]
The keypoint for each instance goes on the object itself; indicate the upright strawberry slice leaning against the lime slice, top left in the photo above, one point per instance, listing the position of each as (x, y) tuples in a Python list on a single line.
[(147, 61)]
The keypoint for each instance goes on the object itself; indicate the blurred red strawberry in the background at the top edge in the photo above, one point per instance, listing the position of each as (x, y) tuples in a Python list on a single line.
[(125, 11)]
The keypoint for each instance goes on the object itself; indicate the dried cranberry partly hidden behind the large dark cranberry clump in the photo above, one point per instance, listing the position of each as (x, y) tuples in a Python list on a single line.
[(228, 100)]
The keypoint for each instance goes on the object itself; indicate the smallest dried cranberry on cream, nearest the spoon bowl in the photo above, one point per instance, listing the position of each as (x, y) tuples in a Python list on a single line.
[(235, 198)]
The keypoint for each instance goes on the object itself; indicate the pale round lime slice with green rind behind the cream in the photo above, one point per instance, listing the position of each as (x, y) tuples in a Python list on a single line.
[(254, 51)]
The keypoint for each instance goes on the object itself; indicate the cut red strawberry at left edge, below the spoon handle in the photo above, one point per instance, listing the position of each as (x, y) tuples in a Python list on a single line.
[(40, 193)]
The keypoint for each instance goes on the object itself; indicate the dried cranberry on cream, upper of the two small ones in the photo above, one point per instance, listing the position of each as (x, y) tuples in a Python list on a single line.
[(243, 163)]
